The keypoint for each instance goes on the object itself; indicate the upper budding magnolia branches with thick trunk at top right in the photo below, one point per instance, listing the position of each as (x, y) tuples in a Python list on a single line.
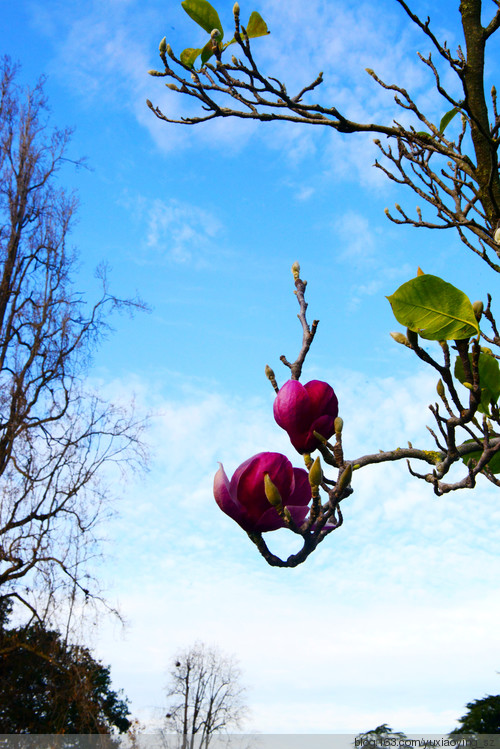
[(463, 188)]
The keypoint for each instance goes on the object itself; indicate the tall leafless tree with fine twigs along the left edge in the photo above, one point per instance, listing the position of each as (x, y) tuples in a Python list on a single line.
[(56, 438)]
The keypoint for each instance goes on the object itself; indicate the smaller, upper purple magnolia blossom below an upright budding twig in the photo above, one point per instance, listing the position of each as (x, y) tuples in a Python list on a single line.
[(303, 409)]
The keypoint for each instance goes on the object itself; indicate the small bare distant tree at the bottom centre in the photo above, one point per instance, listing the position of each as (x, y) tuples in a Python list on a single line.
[(204, 696)]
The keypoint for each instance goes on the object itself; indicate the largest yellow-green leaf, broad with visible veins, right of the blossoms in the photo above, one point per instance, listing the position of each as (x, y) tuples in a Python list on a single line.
[(434, 309)]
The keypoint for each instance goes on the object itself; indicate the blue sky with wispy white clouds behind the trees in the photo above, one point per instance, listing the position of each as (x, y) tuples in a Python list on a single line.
[(395, 618)]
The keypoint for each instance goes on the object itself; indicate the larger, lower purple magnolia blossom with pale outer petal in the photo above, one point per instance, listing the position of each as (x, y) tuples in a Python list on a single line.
[(244, 499)]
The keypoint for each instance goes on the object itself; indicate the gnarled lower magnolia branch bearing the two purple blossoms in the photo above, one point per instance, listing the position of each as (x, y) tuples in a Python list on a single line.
[(461, 418)]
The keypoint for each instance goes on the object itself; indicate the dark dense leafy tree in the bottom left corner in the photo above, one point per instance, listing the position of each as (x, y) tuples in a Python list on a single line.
[(50, 686)]
